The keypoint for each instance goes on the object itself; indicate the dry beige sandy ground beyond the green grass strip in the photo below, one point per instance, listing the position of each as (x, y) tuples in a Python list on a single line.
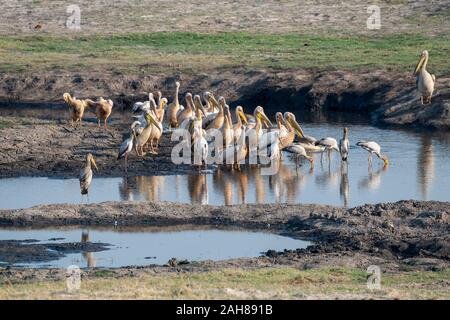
[(273, 16)]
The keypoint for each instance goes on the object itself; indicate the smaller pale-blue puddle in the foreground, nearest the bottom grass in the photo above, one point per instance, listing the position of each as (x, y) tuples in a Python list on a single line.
[(153, 246)]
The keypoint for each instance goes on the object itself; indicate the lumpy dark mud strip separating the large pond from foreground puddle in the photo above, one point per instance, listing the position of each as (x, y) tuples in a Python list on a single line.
[(410, 233)]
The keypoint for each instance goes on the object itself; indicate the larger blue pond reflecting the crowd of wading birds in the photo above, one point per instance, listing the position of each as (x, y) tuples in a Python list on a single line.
[(419, 169)]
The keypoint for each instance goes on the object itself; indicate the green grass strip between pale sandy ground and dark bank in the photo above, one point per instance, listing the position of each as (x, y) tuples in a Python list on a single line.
[(183, 51)]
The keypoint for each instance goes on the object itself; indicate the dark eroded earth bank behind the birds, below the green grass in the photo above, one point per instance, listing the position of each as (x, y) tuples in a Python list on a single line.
[(387, 97)]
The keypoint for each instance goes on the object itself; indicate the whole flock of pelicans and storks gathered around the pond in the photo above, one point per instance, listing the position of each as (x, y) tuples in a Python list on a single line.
[(246, 137)]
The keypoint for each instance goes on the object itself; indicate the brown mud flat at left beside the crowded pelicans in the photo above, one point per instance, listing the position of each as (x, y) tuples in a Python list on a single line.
[(45, 148)]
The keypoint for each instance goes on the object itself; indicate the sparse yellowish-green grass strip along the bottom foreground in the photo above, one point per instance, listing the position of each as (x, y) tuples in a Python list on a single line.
[(279, 283)]
